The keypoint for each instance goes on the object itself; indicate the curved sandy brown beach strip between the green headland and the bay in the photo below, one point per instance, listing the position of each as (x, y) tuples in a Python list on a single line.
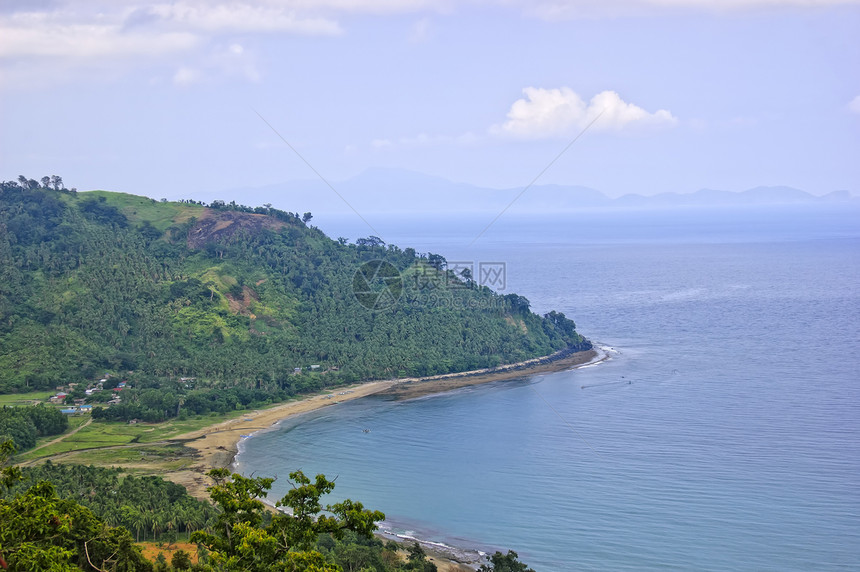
[(217, 445)]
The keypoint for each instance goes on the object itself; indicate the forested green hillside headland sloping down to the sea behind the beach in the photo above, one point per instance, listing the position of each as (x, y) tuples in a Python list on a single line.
[(241, 297)]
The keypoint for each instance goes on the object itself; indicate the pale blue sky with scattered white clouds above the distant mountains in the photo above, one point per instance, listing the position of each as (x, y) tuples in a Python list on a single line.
[(171, 98)]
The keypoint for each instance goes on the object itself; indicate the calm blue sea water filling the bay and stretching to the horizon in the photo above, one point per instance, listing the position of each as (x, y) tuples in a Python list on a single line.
[(723, 433)]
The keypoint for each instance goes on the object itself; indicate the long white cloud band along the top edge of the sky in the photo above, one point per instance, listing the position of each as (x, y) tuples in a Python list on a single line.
[(96, 28)]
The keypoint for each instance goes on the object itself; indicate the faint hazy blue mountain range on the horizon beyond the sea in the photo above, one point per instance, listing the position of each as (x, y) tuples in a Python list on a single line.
[(380, 190)]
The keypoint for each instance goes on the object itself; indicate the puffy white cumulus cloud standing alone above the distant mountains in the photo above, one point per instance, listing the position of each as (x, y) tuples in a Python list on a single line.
[(562, 112)]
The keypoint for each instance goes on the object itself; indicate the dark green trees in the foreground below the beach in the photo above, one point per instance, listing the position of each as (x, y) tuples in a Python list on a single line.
[(64, 519)]
